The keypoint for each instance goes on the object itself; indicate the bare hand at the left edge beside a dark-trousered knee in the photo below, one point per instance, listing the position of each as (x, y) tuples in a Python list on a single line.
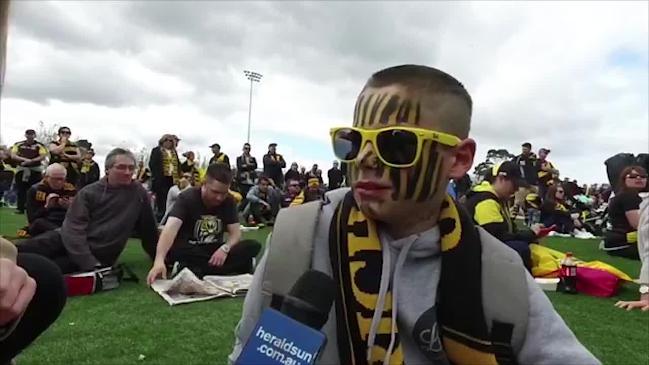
[(16, 291)]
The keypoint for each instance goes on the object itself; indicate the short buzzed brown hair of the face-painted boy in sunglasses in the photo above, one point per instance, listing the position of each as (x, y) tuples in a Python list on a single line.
[(438, 92)]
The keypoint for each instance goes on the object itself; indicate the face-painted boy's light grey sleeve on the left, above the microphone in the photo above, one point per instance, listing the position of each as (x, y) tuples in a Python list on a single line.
[(251, 312)]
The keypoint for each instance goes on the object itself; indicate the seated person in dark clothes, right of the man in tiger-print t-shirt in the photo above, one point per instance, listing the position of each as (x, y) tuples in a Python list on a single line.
[(263, 203)]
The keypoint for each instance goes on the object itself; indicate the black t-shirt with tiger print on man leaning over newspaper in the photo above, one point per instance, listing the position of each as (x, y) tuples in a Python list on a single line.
[(202, 227)]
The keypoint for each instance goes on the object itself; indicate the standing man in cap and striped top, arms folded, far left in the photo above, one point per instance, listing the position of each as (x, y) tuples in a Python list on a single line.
[(29, 154)]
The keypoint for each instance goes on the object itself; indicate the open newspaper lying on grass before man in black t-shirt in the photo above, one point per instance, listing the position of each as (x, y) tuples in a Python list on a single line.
[(186, 287)]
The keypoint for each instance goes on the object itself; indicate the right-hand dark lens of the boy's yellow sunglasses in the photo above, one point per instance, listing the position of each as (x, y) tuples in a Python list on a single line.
[(397, 147)]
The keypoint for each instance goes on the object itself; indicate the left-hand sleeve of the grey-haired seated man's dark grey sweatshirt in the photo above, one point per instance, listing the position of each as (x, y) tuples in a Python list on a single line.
[(74, 232)]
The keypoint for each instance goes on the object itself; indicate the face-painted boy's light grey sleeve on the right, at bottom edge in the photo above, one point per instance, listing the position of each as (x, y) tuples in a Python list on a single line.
[(548, 339)]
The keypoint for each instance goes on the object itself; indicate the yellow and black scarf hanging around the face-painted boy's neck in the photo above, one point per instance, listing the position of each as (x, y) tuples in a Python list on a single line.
[(356, 258)]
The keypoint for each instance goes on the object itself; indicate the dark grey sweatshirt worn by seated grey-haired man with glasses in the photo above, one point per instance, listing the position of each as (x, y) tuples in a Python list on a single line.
[(102, 218)]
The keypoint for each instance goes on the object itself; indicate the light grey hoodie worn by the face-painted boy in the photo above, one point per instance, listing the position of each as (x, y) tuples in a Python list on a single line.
[(413, 266)]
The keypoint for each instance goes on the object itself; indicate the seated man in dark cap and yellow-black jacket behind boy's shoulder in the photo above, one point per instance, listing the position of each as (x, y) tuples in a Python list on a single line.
[(488, 204)]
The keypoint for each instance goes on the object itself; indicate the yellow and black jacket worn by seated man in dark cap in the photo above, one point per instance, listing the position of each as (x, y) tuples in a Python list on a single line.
[(493, 215)]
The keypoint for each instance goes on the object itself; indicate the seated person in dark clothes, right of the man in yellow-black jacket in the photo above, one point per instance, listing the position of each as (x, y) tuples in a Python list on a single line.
[(554, 211)]
